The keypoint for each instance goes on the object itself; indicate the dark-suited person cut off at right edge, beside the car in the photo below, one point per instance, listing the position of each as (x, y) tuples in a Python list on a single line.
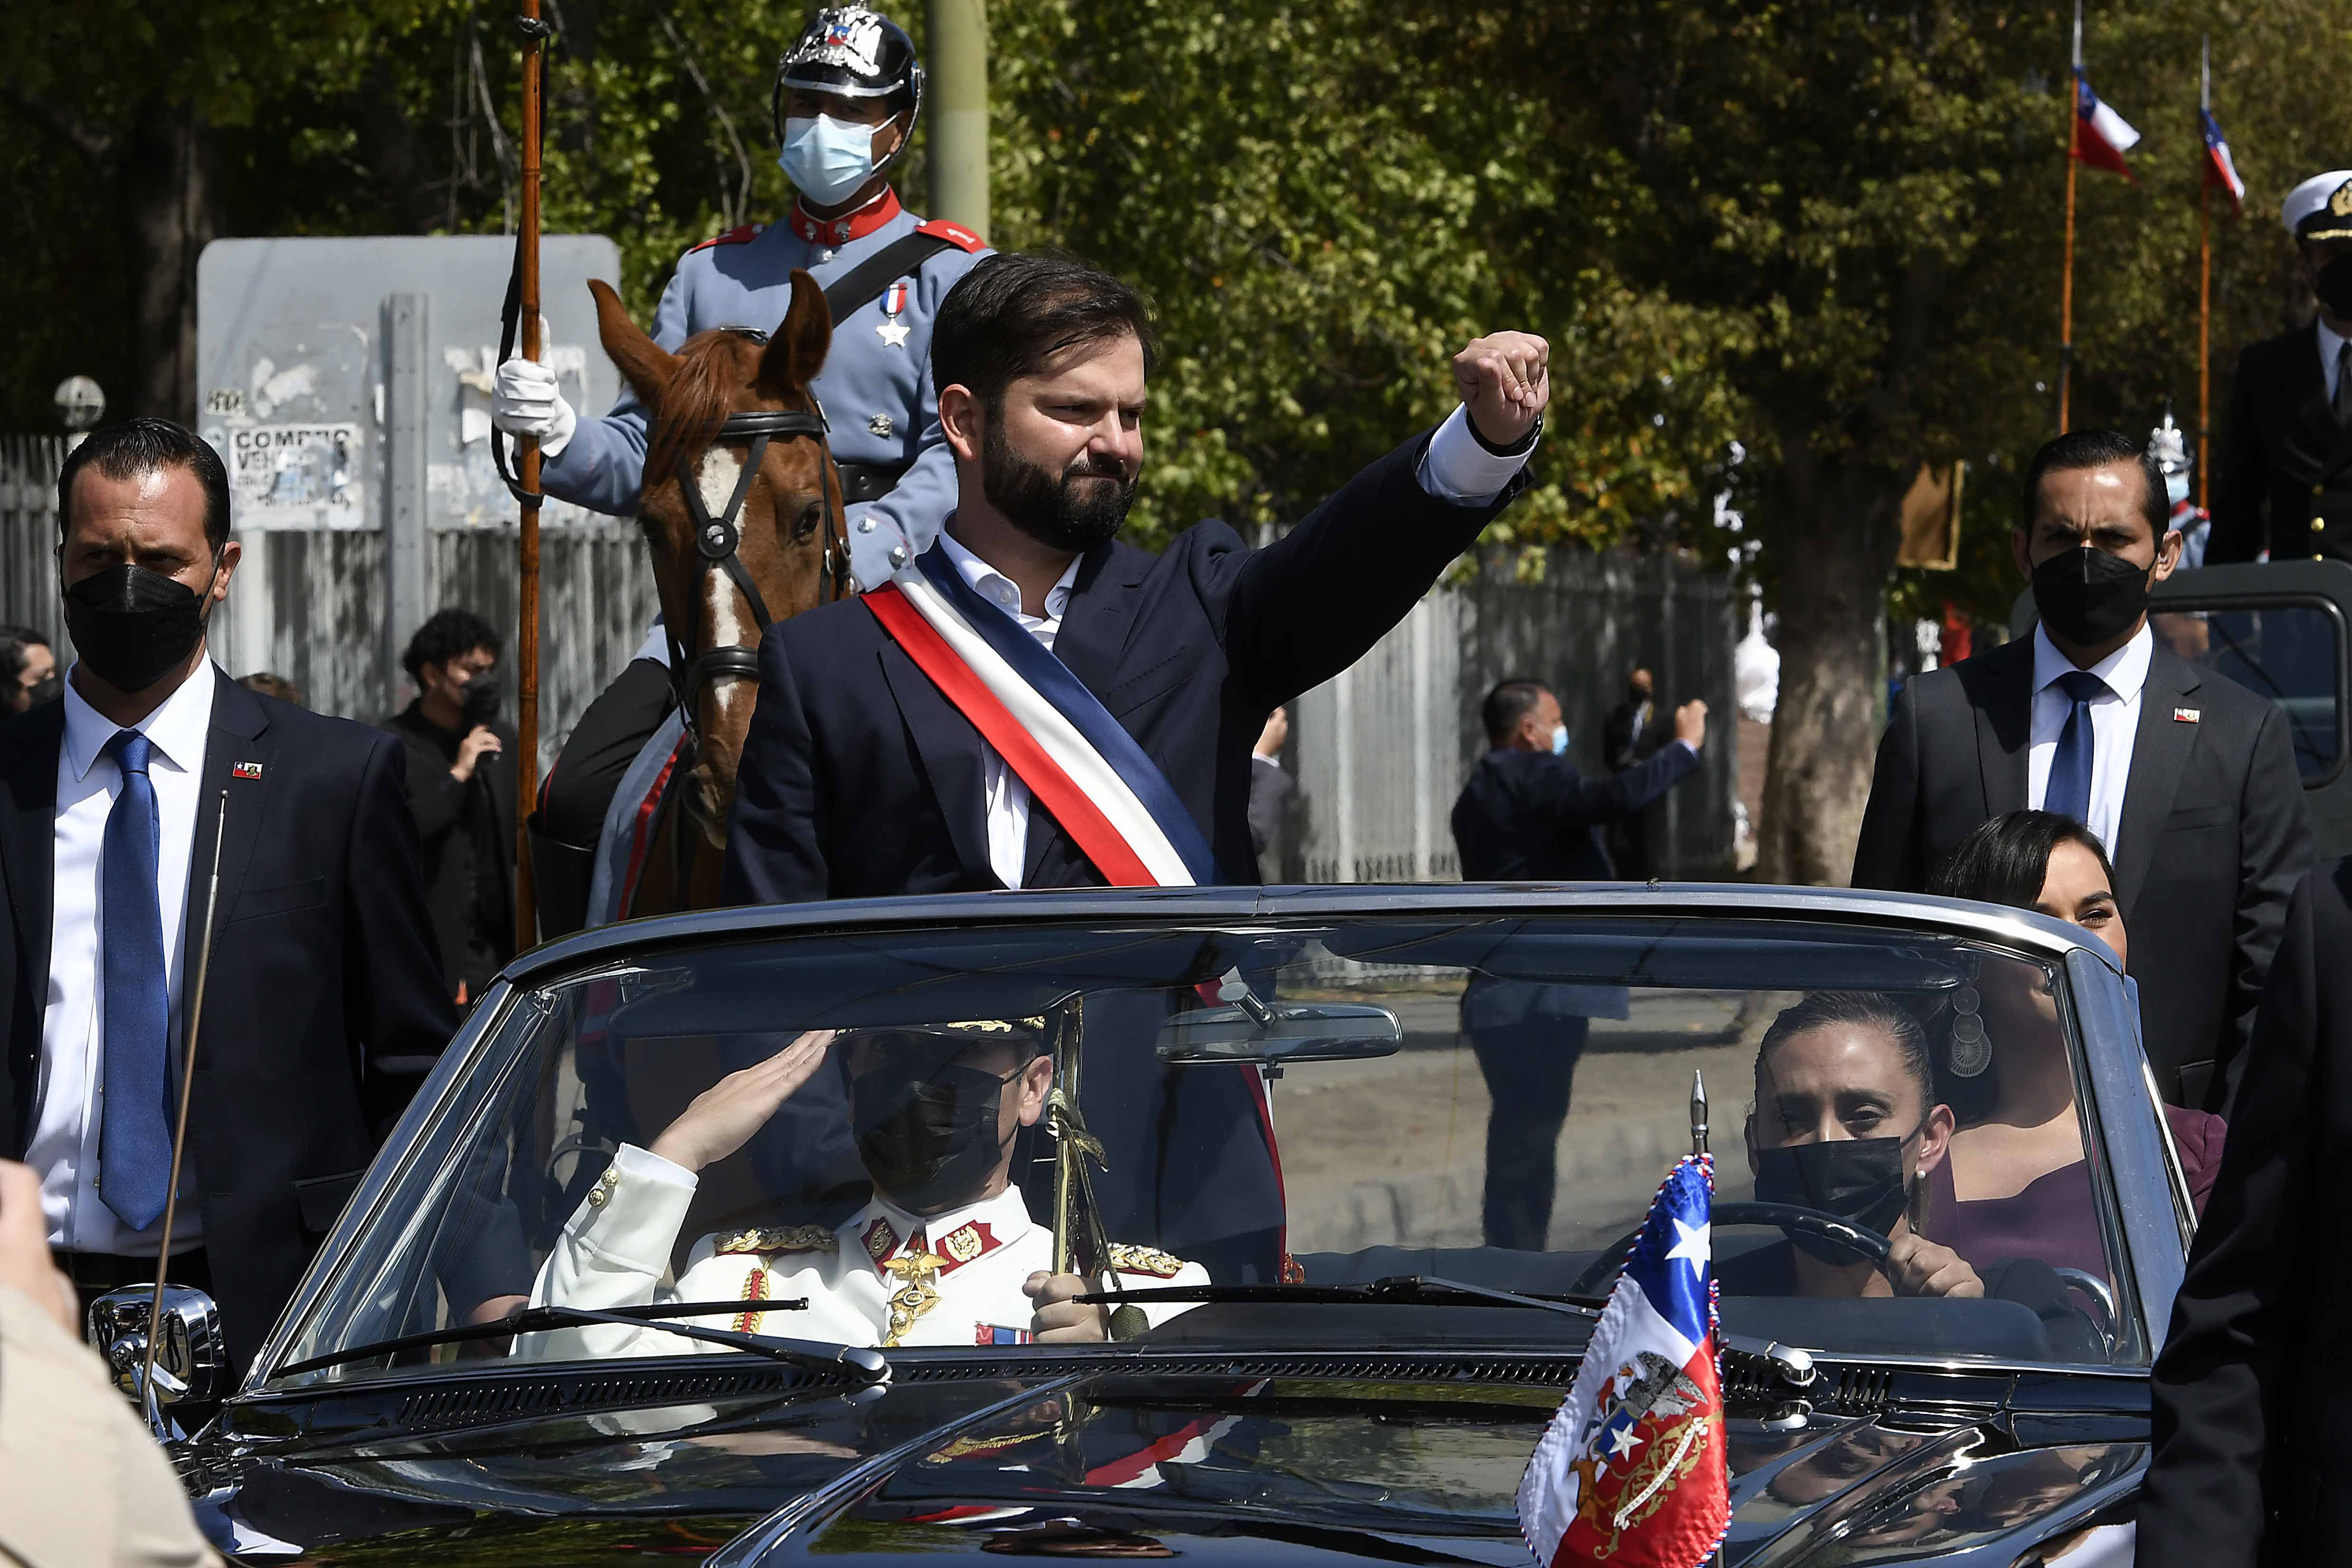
[(2252, 1398)]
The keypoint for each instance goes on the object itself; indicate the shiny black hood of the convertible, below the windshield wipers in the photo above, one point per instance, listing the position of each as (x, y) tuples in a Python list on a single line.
[(1125, 1466)]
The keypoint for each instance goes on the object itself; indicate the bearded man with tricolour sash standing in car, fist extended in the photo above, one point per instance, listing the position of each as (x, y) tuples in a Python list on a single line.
[(1036, 704)]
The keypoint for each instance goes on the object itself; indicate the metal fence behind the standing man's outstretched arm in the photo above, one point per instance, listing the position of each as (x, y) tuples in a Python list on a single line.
[(1382, 751)]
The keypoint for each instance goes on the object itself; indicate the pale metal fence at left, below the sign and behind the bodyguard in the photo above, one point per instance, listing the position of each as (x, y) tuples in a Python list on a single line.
[(312, 603)]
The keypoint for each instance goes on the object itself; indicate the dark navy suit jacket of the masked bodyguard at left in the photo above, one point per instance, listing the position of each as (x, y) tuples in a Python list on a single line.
[(323, 1007)]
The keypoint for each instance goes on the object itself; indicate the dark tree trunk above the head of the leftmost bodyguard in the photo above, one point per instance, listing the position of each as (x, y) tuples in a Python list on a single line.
[(166, 227)]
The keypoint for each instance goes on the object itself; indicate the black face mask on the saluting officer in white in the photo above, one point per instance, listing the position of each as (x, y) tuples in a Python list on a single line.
[(930, 1144)]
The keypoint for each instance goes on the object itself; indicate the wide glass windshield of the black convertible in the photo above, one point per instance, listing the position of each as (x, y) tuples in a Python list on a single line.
[(935, 1139)]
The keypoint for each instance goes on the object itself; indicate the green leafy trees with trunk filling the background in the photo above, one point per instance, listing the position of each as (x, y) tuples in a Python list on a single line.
[(1786, 250)]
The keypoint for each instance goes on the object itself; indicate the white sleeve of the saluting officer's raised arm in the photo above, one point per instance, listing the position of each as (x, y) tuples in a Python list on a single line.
[(613, 1254)]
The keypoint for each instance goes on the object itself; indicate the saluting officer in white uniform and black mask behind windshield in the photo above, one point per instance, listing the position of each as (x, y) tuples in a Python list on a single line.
[(944, 1254)]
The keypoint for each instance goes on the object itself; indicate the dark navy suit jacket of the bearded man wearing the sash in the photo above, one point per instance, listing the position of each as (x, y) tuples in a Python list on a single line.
[(860, 779)]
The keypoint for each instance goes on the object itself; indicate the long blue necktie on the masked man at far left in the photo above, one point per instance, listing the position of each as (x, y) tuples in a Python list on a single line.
[(135, 1134)]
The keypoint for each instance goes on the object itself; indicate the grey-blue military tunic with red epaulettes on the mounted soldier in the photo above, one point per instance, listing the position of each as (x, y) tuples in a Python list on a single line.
[(876, 384)]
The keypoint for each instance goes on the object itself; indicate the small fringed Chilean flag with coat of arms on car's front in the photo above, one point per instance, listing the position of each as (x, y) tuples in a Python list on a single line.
[(1633, 1473)]
